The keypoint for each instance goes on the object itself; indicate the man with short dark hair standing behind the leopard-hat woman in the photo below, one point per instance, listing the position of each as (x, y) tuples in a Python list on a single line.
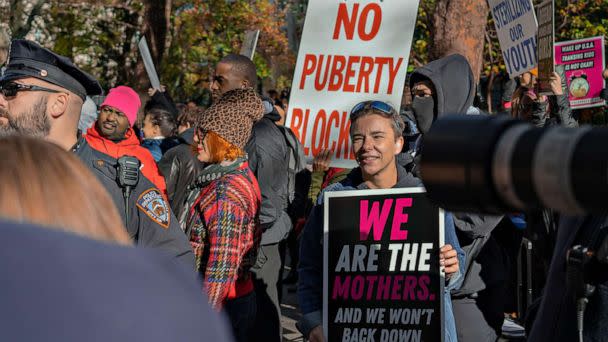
[(268, 159)]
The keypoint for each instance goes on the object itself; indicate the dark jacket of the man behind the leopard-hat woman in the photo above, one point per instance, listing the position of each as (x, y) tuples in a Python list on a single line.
[(269, 160)]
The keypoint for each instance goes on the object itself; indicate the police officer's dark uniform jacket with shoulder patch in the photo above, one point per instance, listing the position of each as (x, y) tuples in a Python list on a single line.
[(151, 221)]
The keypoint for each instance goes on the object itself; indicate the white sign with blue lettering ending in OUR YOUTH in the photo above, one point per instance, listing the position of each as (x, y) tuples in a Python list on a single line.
[(516, 27)]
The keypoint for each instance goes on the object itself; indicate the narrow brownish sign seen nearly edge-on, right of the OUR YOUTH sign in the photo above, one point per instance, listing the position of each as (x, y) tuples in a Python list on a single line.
[(546, 34)]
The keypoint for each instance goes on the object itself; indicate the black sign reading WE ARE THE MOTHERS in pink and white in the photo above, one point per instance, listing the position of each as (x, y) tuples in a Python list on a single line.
[(382, 280)]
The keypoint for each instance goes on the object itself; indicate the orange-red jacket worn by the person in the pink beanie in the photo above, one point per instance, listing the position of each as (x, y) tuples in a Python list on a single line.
[(128, 147)]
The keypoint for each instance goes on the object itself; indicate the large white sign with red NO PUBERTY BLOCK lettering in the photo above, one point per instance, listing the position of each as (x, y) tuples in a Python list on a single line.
[(351, 51)]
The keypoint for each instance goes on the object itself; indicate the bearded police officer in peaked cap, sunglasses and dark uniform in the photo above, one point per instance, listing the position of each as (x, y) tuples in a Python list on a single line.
[(41, 94)]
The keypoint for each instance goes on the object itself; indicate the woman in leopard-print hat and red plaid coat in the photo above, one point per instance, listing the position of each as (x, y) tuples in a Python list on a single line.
[(222, 220)]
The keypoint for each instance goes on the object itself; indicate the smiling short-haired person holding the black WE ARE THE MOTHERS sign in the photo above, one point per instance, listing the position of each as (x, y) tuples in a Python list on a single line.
[(376, 132)]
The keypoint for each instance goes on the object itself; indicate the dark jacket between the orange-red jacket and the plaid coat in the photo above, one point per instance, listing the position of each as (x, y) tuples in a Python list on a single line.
[(180, 168)]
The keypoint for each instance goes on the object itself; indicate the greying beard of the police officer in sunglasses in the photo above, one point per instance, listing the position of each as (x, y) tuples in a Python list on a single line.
[(32, 123)]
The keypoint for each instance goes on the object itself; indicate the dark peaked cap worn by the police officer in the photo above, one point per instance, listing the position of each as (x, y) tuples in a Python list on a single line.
[(28, 59)]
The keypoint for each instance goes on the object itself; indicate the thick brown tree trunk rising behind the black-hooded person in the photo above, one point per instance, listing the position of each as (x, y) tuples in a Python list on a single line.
[(459, 27)]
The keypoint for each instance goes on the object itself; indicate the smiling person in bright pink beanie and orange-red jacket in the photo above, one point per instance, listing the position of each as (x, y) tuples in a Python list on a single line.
[(112, 133)]
